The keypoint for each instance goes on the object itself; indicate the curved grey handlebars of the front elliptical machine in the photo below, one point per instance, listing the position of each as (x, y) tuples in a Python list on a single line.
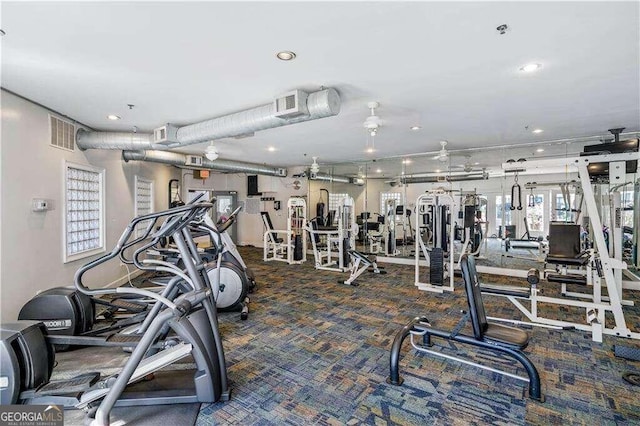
[(177, 218)]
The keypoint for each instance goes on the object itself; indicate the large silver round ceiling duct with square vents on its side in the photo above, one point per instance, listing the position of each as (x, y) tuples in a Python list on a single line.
[(321, 104)]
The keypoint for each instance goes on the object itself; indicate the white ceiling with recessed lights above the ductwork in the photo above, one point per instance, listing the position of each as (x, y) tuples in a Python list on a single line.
[(442, 66)]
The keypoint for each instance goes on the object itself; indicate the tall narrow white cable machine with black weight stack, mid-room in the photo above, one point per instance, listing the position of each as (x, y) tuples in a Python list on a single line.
[(434, 240)]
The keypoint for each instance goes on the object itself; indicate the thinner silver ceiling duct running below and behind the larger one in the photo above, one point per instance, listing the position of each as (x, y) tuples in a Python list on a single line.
[(186, 160)]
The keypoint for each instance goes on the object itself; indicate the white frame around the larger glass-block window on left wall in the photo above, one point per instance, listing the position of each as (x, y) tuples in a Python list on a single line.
[(66, 257)]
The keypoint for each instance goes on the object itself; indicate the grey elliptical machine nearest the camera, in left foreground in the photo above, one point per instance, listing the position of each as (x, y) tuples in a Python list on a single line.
[(27, 356)]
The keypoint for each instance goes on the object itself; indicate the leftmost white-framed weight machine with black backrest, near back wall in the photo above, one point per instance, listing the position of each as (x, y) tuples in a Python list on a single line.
[(293, 247)]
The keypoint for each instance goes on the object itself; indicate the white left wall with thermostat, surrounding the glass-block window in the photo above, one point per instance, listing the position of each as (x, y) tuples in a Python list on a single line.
[(32, 242)]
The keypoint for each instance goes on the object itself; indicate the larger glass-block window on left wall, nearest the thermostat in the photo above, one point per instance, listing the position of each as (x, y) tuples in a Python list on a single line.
[(84, 211)]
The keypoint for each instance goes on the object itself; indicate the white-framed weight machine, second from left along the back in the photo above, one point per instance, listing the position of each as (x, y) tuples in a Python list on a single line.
[(331, 244)]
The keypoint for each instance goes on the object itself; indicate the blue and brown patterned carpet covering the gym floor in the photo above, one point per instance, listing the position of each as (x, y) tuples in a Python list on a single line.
[(317, 352)]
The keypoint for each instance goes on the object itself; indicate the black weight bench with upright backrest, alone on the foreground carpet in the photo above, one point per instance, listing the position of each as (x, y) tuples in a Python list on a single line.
[(498, 338)]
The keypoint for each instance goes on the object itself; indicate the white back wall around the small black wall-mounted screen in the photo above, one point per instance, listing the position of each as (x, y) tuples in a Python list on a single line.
[(250, 227)]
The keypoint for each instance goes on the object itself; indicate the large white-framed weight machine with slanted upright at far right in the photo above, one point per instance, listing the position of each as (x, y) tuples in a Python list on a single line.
[(603, 269)]
